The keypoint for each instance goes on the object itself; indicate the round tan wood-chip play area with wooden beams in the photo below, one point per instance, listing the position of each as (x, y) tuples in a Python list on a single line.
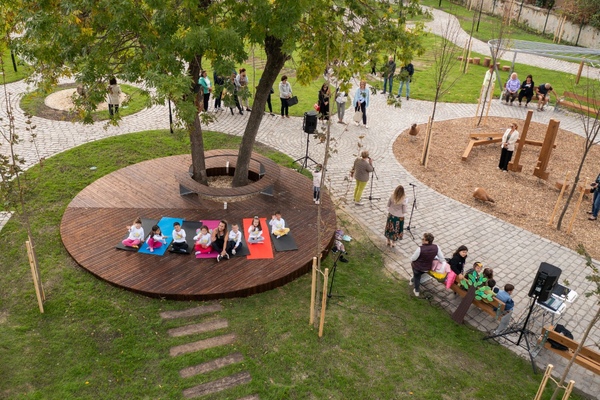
[(520, 198)]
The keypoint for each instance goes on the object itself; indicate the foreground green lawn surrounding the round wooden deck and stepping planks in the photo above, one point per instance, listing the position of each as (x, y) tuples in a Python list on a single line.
[(97, 341)]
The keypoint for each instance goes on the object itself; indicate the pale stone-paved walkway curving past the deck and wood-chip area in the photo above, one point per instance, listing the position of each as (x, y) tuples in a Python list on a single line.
[(514, 253)]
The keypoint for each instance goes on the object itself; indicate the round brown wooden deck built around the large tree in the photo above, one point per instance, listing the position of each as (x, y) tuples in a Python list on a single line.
[(94, 223)]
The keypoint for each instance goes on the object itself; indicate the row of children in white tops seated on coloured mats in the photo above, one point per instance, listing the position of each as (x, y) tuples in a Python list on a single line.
[(205, 240)]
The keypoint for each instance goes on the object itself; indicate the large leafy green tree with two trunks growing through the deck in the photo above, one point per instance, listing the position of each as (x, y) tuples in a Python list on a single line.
[(162, 44)]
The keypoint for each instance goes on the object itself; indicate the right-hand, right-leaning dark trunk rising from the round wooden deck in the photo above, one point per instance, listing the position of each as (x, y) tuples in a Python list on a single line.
[(275, 61)]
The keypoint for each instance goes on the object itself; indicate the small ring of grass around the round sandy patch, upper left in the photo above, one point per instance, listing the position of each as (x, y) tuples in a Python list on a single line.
[(33, 102)]
